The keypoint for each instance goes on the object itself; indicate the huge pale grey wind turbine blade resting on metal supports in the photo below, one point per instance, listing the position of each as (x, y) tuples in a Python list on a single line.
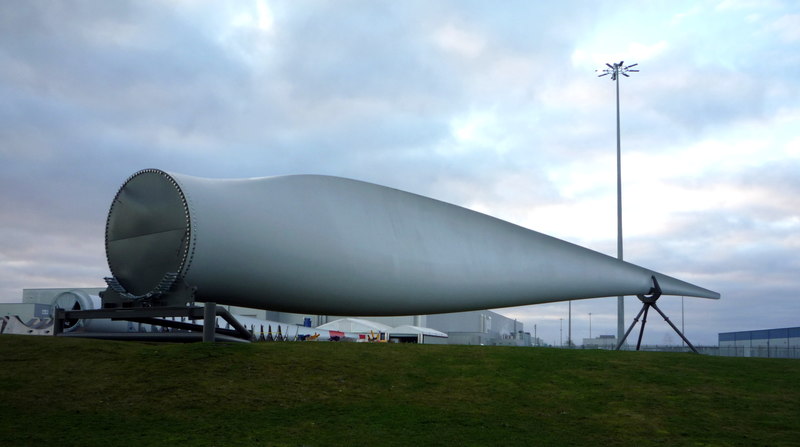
[(352, 248)]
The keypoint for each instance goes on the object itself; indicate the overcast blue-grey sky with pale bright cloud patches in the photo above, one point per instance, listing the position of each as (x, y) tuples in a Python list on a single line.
[(494, 106)]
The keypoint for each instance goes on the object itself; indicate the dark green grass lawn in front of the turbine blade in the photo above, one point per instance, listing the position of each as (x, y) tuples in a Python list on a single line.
[(62, 391)]
